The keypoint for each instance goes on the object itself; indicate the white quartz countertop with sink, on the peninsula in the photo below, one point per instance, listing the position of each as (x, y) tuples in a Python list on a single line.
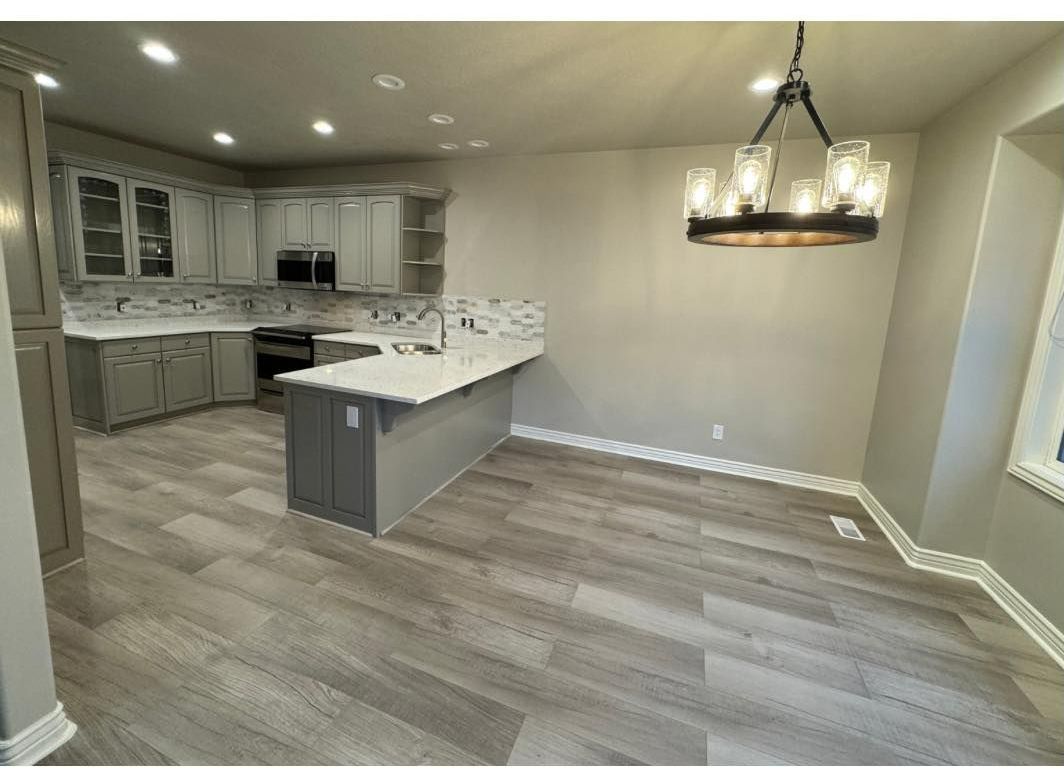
[(412, 379)]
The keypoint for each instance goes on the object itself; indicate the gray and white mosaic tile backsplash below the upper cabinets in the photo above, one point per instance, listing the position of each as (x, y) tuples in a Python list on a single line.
[(493, 317)]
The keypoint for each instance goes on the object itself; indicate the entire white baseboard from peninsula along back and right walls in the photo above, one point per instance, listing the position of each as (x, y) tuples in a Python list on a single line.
[(1044, 633)]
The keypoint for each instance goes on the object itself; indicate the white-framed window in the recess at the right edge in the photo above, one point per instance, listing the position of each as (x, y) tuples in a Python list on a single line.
[(1038, 450)]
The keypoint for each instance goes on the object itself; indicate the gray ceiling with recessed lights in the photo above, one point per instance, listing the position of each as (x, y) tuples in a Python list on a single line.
[(528, 88)]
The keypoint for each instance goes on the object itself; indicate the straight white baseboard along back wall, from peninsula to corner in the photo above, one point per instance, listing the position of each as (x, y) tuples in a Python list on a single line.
[(786, 477)]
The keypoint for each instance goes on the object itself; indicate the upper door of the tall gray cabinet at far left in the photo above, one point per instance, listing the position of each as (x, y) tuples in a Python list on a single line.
[(26, 211)]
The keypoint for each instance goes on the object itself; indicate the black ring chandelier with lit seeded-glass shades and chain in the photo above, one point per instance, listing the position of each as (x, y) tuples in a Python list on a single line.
[(843, 208)]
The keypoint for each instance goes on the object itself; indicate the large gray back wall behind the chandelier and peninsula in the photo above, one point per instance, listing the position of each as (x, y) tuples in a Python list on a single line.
[(652, 340)]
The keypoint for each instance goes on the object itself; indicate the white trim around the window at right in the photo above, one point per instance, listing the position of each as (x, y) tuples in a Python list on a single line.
[(1034, 455)]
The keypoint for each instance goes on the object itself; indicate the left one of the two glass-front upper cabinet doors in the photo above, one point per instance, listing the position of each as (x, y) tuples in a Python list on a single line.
[(99, 217)]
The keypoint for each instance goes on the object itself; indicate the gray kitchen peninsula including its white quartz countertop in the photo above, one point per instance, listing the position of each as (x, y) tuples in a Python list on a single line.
[(370, 440)]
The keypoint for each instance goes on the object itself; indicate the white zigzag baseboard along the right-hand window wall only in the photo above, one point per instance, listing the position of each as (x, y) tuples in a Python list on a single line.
[(1044, 633)]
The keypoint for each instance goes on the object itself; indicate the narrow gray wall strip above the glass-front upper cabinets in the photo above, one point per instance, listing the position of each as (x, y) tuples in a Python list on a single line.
[(76, 141)]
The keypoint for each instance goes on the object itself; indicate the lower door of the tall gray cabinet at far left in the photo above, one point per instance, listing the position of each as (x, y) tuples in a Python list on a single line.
[(49, 441)]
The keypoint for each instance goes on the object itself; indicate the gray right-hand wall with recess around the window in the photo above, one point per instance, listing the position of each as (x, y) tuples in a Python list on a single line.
[(973, 273)]
